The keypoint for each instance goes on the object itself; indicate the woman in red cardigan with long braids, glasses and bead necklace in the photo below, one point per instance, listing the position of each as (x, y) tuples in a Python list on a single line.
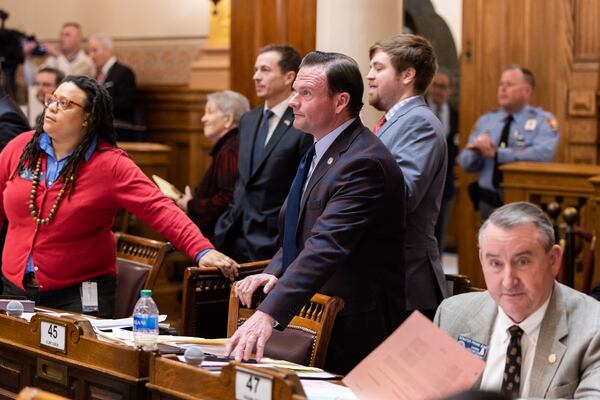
[(61, 187)]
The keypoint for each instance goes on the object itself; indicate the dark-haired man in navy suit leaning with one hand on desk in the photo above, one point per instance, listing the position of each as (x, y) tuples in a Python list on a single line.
[(343, 224)]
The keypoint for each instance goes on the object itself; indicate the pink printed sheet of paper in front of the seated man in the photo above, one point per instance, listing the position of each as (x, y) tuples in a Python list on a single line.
[(418, 361)]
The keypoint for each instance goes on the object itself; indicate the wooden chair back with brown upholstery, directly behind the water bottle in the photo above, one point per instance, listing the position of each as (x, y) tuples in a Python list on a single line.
[(139, 261)]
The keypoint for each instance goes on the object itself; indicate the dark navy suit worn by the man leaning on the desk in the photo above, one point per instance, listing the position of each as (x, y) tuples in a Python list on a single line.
[(350, 240)]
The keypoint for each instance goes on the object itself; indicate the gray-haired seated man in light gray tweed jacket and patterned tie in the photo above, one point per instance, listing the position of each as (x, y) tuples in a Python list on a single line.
[(539, 338)]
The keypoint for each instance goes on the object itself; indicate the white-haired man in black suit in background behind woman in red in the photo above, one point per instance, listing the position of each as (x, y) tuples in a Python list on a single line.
[(119, 80)]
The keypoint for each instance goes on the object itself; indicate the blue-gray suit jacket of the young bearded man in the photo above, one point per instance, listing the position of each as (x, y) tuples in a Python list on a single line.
[(416, 139)]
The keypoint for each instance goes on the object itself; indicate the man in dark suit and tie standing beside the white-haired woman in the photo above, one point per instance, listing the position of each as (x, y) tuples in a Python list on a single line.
[(270, 150)]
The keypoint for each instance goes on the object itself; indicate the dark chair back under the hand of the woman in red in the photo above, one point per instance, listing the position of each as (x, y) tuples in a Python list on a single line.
[(206, 299)]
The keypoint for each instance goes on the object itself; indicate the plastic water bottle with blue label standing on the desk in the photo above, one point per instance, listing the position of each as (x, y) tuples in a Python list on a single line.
[(145, 321)]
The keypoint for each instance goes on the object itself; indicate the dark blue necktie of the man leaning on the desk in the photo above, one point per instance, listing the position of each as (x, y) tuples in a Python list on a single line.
[(292, 210)]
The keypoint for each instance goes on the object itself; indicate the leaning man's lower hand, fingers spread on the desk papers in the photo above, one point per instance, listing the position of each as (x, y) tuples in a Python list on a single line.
[(256, 330)]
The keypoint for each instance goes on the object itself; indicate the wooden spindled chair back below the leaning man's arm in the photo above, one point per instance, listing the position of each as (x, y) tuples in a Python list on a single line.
[(306, 338)]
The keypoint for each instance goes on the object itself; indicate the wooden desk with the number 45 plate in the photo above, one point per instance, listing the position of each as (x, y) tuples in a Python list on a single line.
[(88, 369)]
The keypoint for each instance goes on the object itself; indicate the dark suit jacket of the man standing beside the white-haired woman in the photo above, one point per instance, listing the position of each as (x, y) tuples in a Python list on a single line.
[(252, 217)]
